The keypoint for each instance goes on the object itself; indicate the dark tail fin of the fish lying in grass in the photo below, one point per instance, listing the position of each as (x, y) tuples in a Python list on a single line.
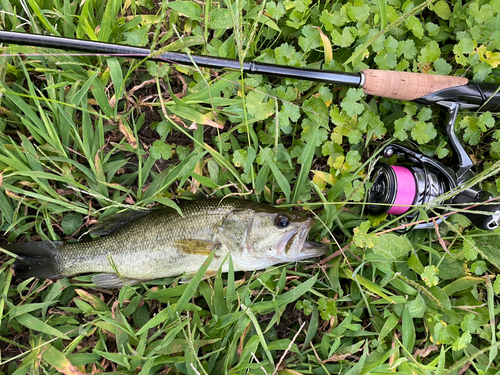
[(35, 259)]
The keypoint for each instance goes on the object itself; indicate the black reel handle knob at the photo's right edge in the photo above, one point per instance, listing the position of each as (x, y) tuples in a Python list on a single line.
[(482, 221)]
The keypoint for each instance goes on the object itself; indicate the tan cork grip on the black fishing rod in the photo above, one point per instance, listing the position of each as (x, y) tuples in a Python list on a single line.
[(406, 86)]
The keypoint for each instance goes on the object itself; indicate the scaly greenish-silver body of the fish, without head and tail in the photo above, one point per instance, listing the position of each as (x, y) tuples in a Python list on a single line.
[(145, 249)]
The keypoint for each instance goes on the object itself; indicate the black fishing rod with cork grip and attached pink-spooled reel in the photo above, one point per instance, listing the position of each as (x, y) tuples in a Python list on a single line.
[(395, 188)]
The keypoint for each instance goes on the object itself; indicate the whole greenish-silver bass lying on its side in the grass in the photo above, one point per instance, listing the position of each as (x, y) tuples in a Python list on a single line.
[(138, 246)]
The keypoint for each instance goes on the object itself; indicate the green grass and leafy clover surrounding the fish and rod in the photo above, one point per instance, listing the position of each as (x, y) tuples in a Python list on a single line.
[(83, 137)]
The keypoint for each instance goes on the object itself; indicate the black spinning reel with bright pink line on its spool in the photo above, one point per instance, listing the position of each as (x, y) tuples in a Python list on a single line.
[(396, 189)]
